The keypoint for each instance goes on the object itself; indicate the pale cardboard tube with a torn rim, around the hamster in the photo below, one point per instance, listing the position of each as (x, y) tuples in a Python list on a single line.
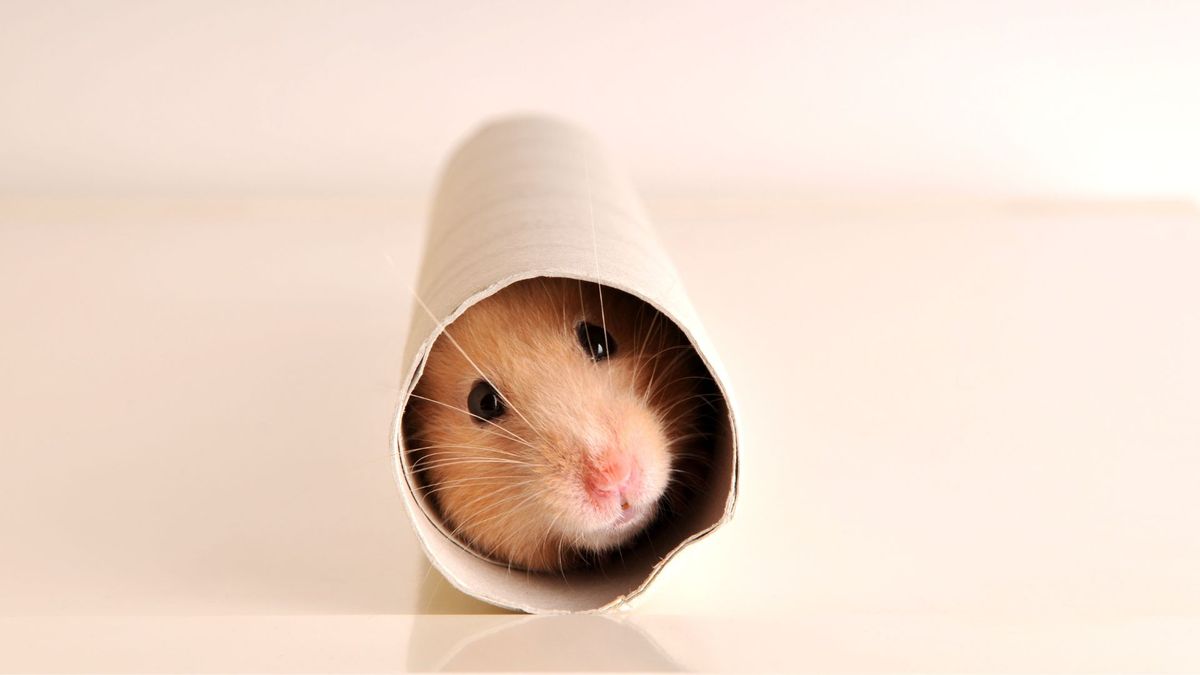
[(527, 198)]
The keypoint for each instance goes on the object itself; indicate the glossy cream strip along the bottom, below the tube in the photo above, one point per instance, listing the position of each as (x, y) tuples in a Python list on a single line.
[(873, 643)]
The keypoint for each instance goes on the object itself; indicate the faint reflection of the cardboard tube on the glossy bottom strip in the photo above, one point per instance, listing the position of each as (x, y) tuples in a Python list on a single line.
[(519, 643)]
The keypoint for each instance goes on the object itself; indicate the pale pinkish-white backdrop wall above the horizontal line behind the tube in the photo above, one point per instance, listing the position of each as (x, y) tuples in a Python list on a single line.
[(1094, 99)]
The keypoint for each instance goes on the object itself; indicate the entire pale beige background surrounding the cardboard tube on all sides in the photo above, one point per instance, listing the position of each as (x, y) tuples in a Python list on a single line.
[(949, 256)]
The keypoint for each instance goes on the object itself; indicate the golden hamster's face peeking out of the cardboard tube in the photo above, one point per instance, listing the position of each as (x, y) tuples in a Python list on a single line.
[(557, 421)]
